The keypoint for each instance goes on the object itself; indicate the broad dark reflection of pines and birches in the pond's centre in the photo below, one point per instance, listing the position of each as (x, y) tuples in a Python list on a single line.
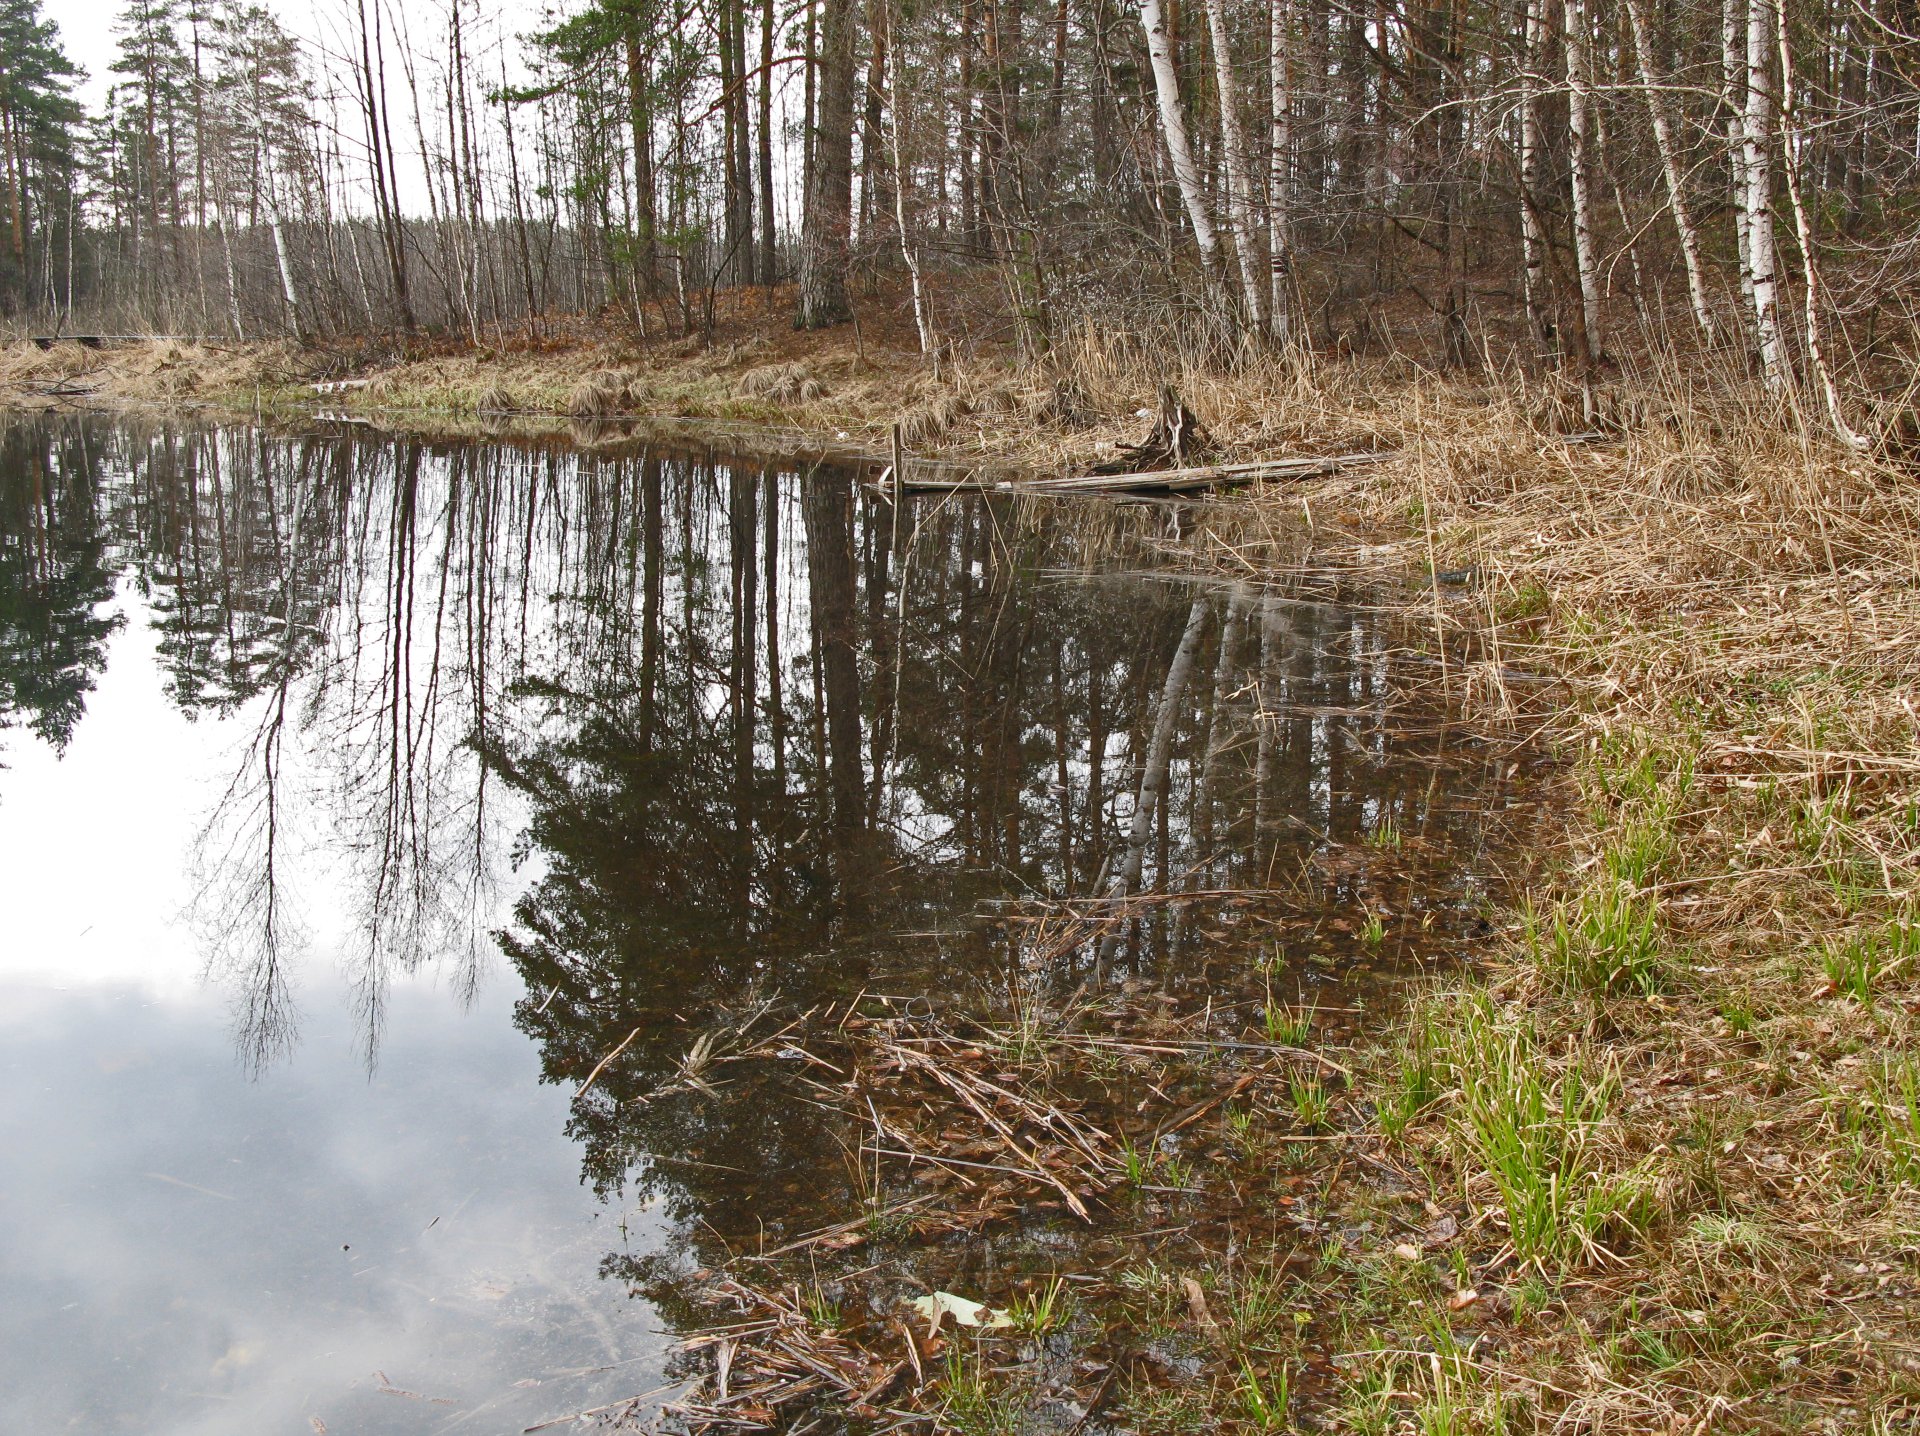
[(936, 715)]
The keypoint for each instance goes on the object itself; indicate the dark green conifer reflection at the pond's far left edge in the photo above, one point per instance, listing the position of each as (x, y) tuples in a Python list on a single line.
[(55, 575)]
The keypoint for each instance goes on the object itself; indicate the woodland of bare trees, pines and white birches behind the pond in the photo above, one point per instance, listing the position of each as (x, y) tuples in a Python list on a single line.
[(1550, 181)]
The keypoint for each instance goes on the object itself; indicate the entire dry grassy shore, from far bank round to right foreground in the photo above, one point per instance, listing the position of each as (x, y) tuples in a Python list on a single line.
[(1654, 1164)]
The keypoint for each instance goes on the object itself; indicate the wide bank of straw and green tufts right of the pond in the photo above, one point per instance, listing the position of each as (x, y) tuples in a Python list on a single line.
[(1673, 1128)]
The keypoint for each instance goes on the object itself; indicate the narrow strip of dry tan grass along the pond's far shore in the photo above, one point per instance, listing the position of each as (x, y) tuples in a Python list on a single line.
[(842, 389)]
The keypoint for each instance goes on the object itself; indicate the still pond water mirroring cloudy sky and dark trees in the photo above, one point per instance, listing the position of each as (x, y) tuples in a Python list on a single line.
[(385, 823)]
